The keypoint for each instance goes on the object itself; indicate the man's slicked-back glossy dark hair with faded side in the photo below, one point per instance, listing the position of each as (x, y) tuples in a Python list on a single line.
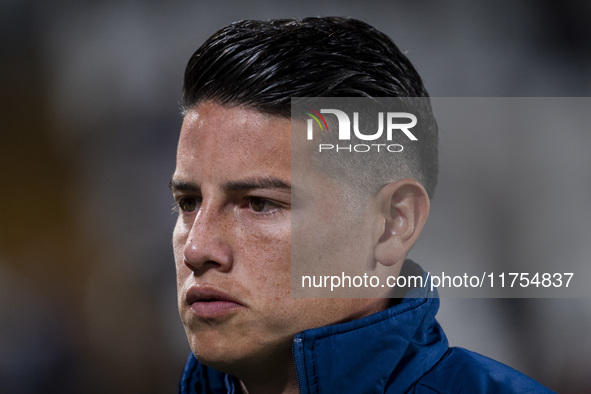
[(263, 64)]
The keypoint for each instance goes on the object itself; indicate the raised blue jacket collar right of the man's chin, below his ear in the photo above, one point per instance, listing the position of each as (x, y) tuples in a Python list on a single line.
[(392, 348)]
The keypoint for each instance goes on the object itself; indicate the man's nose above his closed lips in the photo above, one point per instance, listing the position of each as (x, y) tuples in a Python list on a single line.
[(207, 245)]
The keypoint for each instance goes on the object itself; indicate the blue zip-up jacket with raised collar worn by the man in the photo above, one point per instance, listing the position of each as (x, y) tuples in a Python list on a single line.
[(400, 350)]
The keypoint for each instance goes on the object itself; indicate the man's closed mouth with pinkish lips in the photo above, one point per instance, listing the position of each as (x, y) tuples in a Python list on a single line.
[(210, 303)]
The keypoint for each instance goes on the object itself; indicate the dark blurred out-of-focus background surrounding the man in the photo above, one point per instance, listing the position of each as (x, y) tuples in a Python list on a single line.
[(89, 106)]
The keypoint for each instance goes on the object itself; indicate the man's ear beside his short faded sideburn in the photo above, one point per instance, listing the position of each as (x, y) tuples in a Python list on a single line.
[(403, 209)]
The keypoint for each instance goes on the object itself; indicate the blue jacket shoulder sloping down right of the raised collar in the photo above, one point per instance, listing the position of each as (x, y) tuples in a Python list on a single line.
[(463, 371)]
